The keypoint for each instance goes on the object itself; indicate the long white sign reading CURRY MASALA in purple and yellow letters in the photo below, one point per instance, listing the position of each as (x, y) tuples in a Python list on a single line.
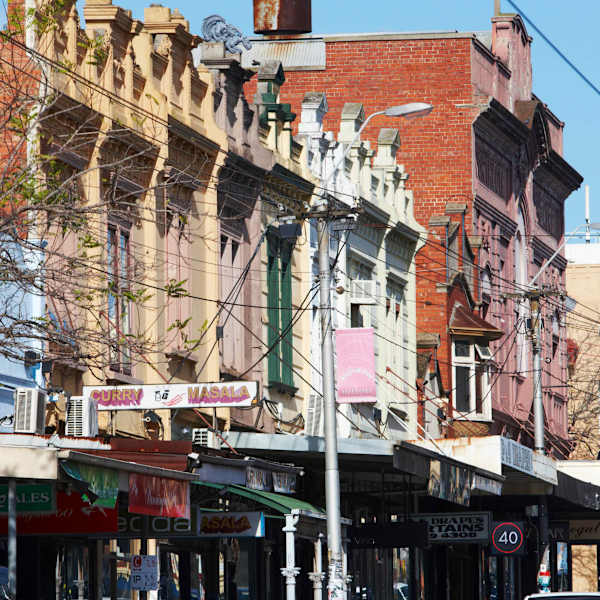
[(178, 395)]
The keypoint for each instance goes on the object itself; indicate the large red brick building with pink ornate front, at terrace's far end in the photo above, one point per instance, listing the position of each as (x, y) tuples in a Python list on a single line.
[(489, 183)]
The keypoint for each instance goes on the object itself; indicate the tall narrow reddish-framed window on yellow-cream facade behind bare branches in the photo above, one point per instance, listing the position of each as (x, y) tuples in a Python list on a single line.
[(118, 252)]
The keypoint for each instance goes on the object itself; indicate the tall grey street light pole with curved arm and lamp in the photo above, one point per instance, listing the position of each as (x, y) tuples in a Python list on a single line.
[(336, 584)]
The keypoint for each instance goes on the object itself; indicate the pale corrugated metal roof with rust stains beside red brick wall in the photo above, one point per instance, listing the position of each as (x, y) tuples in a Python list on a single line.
[(306, 54)]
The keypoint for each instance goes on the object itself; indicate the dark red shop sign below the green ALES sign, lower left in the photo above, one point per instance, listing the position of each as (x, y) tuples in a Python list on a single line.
[(73, 516)]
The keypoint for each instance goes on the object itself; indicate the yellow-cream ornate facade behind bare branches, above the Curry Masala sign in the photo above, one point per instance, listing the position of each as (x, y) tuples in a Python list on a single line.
[(131, 122)]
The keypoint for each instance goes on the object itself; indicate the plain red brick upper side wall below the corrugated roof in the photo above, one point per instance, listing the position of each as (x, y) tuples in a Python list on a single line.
[(436, 150)]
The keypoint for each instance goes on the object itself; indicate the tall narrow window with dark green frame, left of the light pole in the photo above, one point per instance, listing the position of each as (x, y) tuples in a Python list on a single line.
[(279, 301)]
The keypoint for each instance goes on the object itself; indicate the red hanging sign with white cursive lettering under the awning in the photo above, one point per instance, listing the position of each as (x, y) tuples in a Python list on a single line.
[(159, 496)]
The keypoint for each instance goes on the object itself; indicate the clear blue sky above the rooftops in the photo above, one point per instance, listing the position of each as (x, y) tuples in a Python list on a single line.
[(573, 31)]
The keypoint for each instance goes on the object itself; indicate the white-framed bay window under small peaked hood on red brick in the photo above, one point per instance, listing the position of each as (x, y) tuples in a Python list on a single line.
[(471, 370)]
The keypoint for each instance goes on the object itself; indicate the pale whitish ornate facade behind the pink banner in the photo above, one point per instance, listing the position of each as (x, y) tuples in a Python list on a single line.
[(374, 270)]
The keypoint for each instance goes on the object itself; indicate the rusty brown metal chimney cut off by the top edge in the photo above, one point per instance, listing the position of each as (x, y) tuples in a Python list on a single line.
[(273, 17)]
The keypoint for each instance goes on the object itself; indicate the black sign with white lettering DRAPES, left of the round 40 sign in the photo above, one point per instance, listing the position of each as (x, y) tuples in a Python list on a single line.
[(449, 528)]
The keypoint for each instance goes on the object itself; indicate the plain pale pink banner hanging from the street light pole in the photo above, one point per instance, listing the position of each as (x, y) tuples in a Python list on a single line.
[(355, 366)]
